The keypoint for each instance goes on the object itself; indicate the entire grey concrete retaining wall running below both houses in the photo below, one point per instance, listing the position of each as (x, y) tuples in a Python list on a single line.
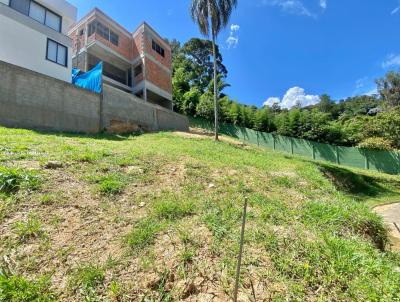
[(32, 100)]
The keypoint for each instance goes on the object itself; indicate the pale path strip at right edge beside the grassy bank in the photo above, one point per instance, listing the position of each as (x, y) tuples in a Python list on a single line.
[(391, 216)]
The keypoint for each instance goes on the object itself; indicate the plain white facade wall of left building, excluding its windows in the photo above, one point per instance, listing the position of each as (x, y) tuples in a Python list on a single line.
[(23, 46)]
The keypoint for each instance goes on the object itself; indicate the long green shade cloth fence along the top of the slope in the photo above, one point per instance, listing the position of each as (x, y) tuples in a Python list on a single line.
[(382, 161)]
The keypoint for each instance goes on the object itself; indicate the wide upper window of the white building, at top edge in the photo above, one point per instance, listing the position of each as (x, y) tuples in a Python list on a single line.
[(38, 13)]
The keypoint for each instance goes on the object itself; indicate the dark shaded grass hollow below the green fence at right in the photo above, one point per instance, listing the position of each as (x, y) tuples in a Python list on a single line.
[(357, 185)]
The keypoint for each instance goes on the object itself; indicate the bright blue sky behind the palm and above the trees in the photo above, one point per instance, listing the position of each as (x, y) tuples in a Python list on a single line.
[(285, 51)]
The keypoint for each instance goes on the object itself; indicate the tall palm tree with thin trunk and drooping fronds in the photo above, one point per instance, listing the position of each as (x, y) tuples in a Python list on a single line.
[(218, 12)]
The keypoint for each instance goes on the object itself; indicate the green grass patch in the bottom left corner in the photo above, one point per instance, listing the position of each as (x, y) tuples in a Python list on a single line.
[(15, 288)]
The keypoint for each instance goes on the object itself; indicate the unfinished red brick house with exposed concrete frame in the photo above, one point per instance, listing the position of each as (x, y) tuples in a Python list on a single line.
[(138, 62)]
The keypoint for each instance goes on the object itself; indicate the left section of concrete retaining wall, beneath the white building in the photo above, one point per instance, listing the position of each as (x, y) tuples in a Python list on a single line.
[(32, 100)]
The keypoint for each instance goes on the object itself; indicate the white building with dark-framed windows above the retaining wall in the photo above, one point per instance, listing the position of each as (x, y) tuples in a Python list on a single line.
[(34, 35)]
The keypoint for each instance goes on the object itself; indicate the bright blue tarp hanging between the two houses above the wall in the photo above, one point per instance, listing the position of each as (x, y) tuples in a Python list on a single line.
[(91, 80)]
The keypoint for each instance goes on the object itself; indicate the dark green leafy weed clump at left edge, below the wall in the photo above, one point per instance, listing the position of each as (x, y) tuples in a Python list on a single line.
[(11, 180)]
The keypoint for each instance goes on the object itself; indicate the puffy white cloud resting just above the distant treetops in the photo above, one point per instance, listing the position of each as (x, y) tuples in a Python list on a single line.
[(293, 97)]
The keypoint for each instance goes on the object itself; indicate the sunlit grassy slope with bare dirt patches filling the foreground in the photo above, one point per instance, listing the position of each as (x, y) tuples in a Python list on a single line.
[(157, 217)]
